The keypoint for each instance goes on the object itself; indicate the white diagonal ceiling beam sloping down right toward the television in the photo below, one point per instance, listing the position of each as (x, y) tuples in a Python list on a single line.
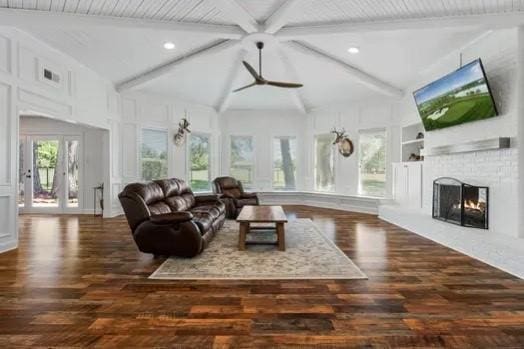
[(361, 76)]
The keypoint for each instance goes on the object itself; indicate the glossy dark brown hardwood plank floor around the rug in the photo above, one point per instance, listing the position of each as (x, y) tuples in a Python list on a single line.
[(78, 281)]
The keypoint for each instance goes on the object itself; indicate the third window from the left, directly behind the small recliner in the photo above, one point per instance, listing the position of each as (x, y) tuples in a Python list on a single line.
[(242, 158)]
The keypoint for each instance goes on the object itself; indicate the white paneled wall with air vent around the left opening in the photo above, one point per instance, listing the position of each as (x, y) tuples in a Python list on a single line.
[(79, 96)]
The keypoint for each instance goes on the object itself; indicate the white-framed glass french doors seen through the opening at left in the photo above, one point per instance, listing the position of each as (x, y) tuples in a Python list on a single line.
[(49, 174)]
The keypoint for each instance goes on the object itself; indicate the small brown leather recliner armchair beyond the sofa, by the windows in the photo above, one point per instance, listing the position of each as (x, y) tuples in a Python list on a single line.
[(232, 193)]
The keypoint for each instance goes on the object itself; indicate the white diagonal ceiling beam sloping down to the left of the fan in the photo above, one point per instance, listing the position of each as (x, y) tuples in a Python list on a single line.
[(149, 75)]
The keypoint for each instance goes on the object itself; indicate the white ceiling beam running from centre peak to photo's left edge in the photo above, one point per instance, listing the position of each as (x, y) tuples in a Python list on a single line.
[(35, 19)]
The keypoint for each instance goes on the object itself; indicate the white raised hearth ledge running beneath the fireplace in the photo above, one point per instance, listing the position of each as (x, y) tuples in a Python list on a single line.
[(500, 251)]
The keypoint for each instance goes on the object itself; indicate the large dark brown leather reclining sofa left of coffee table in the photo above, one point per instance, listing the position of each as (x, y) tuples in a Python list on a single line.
[(166, 218)]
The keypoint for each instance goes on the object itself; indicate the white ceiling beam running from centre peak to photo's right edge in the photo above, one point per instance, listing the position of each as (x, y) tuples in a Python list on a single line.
[(487, 21)]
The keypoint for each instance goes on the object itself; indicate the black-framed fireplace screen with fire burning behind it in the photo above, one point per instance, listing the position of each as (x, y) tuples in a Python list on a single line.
[(460, 203)]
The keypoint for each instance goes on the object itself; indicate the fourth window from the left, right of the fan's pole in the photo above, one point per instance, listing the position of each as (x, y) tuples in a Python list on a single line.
[(284, 163)]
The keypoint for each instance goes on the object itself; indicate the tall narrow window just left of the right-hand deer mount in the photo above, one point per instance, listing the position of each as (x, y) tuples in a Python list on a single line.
[(324, 163)]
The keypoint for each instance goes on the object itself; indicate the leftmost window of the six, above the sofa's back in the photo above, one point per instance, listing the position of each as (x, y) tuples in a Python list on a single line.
[(153, 154)]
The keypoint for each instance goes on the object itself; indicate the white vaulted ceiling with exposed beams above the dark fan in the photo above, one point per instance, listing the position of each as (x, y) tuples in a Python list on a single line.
[(307, 42)]
